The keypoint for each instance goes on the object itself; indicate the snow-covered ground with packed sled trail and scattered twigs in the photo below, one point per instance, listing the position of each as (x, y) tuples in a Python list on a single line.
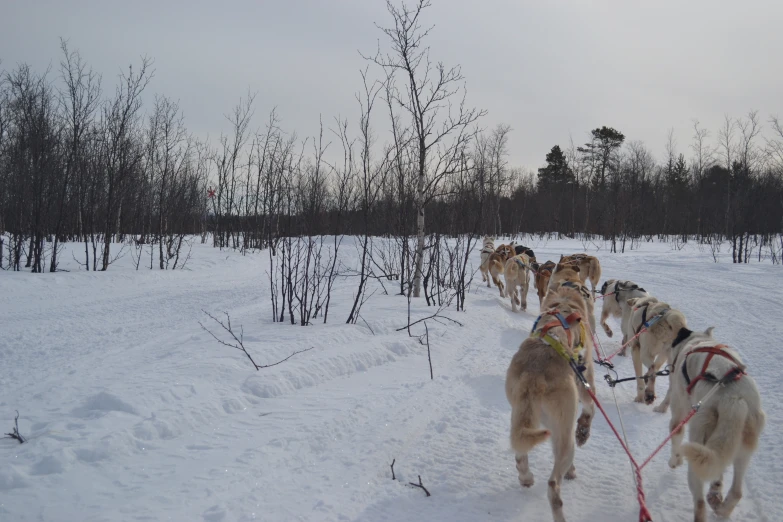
[(133, 412)]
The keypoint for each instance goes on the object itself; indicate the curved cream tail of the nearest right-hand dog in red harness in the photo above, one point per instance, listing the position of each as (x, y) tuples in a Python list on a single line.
[(710, 459)]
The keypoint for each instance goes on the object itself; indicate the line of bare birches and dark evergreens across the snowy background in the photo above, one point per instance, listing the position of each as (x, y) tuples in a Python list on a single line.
[(78, 164)]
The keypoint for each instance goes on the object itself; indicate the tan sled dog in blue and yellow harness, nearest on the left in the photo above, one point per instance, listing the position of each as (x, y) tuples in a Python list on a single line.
[(544, 391)]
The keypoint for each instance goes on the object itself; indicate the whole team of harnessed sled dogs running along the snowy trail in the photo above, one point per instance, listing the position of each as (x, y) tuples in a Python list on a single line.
[(544, 382)]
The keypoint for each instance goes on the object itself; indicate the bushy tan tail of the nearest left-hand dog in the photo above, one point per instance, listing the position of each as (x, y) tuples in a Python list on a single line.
[(524, 415)]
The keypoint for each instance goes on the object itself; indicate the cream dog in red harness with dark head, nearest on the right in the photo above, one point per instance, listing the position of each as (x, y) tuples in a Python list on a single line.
[(726, 428)]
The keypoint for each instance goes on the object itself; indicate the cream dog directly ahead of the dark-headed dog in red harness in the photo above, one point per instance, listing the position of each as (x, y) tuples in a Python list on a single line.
[(657, 324)]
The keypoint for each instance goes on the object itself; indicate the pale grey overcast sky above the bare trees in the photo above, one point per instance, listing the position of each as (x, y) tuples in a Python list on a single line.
[(550, 69)]
